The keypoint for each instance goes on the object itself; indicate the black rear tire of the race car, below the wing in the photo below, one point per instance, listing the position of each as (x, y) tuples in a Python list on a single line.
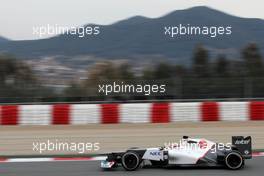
[(234, 160)]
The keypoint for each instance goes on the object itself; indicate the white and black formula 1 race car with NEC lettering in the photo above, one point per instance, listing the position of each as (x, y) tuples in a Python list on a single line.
[(188, 152)]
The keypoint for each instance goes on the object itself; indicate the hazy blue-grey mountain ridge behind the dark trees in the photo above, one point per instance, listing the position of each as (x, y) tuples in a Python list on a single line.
[(140, 37)]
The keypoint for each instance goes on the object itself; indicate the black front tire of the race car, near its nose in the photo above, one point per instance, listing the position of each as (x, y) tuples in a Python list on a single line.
[(131, 161)]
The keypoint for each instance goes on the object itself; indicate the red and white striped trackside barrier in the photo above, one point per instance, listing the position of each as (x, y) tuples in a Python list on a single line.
[(61, 114)]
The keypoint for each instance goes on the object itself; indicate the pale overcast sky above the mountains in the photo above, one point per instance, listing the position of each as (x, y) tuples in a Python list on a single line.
[(17, 17)]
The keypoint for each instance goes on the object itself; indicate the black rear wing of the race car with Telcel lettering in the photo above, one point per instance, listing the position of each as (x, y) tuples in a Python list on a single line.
[(243, 145)]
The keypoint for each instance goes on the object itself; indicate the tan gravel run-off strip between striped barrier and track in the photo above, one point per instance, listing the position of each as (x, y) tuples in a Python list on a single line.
[(18, 140)]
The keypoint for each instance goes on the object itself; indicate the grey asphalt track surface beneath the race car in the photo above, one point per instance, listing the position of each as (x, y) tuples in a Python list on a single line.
[(253, 167)]
